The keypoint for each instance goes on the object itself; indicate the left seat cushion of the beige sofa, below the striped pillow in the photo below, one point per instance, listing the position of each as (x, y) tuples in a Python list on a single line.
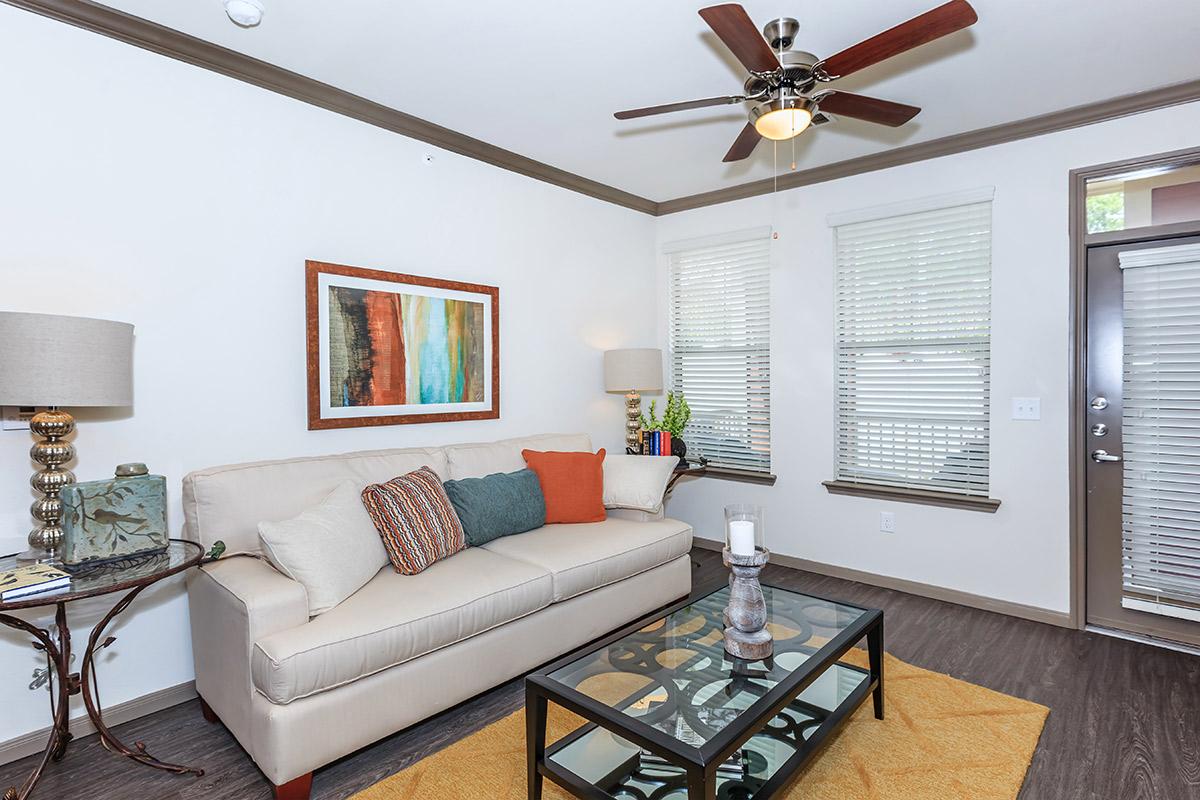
[(397, 618)]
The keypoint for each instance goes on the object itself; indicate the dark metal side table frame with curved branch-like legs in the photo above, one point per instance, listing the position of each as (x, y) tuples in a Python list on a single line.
[(65, 684)]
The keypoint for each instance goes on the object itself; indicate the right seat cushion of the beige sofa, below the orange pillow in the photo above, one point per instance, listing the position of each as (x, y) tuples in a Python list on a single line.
[(587, 556)]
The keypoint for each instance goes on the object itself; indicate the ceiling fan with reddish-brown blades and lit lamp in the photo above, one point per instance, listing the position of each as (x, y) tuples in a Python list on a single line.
[(783, 81)]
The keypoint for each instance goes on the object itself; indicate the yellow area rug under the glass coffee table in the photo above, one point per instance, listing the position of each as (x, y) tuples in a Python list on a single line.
[(943, 739)]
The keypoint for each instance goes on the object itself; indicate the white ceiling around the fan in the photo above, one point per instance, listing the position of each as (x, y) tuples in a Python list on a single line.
[(543, 77)]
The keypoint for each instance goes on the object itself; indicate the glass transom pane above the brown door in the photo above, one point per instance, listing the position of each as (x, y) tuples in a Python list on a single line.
[(1148, 197)]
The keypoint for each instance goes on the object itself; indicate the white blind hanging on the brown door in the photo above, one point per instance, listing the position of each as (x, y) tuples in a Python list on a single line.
[(1161, 430)]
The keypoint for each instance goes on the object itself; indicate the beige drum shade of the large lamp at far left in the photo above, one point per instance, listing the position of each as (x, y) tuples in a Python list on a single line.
[(70, 362)]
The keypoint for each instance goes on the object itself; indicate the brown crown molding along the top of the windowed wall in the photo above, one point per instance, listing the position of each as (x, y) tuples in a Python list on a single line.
[(1033, 127)]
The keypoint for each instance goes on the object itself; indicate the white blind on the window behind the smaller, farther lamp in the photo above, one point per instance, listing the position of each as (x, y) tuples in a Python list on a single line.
[(721, 346)]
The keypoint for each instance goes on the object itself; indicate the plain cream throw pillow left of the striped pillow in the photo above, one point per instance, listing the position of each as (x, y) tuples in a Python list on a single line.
[(333, 549)]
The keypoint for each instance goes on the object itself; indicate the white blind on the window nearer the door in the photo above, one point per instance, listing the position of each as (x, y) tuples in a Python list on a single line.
[(914, 332)]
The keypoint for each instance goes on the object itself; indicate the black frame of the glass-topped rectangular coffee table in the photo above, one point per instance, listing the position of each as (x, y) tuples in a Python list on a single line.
[(542, 689)]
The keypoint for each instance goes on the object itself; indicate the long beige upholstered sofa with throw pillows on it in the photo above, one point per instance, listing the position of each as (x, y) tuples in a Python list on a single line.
[(301, 693)]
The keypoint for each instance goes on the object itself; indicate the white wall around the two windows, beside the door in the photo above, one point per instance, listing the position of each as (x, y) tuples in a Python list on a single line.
[(1021, 554)]
